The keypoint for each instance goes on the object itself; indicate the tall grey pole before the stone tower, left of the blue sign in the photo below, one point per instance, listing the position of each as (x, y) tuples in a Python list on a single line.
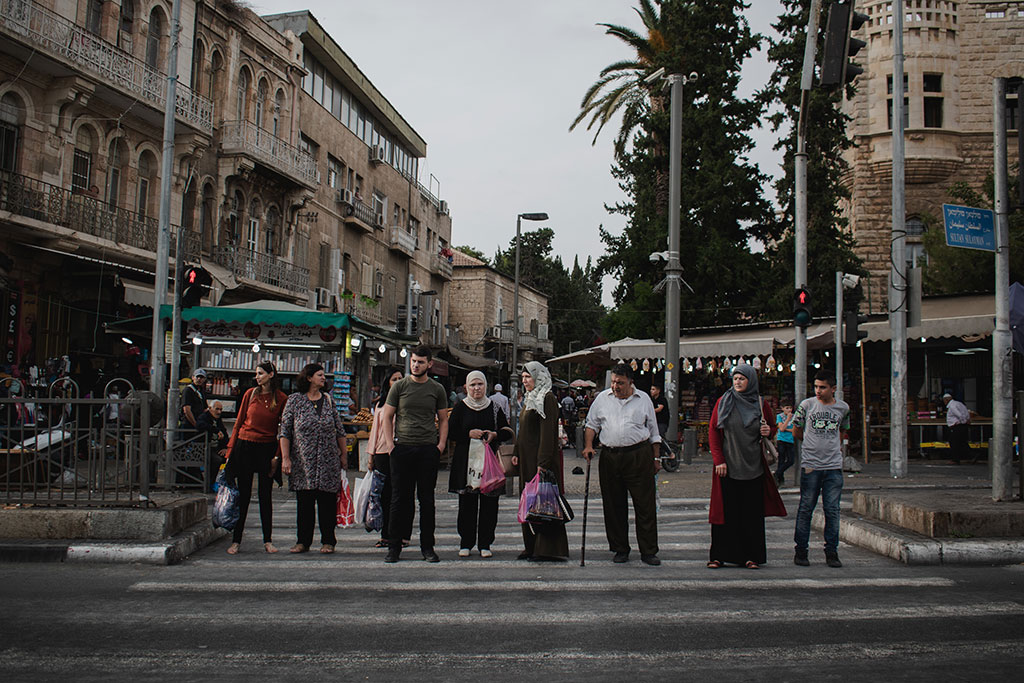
[(898, 277)]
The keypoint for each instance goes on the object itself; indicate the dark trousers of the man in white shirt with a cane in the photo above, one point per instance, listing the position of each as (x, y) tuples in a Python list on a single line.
[(629, 472)]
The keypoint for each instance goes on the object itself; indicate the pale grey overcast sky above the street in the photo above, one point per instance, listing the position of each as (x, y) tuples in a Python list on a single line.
[(493, 89)]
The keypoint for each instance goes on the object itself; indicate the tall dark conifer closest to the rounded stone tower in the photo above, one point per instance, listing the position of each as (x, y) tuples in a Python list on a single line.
[(830, 245)]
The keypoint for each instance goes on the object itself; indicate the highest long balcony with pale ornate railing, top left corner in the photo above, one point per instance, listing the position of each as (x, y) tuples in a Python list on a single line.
[(56, 36)]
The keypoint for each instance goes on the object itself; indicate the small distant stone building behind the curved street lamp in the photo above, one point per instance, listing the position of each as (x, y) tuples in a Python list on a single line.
[(484, 314)]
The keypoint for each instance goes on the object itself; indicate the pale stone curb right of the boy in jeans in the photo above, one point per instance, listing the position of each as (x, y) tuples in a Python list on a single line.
[(915, 549)]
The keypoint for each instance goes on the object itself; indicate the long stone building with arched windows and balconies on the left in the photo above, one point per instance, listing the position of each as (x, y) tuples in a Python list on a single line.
[(293, 178)]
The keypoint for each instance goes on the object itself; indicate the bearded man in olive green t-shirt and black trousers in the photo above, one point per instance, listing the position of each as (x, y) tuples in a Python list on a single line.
[(414, 403)]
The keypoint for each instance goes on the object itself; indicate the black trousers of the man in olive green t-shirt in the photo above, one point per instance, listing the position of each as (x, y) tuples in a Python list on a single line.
[(414, 473)]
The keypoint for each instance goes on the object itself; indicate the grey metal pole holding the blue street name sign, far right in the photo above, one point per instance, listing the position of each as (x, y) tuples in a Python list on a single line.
[(1000, 452)]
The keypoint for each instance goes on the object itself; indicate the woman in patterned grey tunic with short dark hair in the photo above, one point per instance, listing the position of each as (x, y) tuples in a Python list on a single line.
[(315, 453)]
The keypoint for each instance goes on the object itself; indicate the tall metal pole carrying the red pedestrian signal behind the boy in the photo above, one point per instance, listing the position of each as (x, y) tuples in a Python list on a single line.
[(800, 202)]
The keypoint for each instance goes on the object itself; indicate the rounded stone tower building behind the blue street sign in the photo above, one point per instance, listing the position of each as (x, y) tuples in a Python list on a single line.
[(953, 52)]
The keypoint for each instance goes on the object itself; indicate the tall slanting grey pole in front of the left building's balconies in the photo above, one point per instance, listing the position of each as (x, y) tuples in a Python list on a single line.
[(157, 354)]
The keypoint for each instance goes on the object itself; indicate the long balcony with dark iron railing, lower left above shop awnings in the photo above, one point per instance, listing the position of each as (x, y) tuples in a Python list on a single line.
[(40, 201)]
